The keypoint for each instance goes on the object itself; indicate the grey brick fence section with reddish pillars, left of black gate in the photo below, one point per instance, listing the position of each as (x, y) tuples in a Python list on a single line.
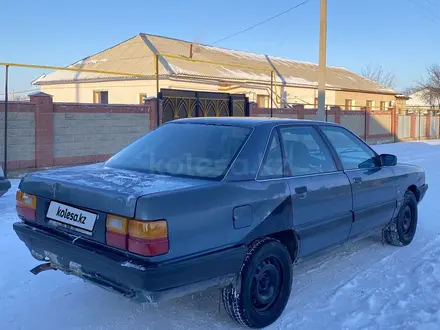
[(42, 133)]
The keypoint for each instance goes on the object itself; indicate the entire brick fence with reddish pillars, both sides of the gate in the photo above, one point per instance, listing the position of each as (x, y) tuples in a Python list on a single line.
[(42, 133)]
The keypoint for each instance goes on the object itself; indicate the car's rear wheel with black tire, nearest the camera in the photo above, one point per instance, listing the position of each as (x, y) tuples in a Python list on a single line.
[(265, 285)]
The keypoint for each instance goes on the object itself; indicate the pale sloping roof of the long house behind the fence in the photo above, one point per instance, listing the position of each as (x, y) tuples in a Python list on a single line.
[(136, 57)]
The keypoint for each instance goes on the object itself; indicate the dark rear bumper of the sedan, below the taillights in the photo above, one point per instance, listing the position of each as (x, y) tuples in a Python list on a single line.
[(128, 274)]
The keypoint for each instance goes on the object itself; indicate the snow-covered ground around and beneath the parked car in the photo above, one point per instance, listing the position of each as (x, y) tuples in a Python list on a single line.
[(361, 285)]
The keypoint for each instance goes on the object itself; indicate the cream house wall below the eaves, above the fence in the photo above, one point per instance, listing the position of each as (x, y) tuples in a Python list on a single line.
[(127, 92)]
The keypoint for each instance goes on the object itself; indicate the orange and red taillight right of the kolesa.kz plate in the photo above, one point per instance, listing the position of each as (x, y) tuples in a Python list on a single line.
[(147, 238)]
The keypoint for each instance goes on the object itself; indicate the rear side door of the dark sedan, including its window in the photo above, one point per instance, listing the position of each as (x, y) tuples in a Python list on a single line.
[(320, 191)]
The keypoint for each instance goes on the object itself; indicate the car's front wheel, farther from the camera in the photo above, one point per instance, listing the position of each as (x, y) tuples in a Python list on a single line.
[(401, 230)]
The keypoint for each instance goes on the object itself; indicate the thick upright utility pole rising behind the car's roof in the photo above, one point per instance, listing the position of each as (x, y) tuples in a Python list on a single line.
[(322, 60)]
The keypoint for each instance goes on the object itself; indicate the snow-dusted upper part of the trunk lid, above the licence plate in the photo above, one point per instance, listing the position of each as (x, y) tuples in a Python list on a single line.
[(100, 188)]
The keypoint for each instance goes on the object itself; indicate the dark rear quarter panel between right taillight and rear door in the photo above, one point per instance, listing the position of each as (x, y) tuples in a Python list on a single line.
[(202, 220)]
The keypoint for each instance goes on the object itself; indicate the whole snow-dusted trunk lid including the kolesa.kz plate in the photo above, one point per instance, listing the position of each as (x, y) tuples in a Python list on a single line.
[(65, 196)]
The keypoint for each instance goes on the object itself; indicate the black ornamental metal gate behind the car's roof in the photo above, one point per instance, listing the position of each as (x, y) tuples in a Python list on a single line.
[(183, 104)]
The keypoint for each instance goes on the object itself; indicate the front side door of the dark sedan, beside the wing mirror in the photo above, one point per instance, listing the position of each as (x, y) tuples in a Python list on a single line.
[(373, 185)]
